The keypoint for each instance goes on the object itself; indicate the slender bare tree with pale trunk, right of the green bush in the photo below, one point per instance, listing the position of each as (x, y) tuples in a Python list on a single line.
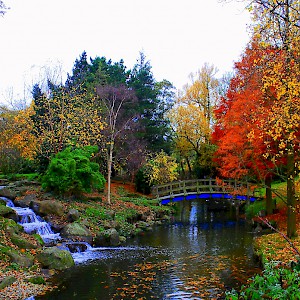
[(118, 102)]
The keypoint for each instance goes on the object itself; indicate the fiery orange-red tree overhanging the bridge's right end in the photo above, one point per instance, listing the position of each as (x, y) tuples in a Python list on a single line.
[(240, 139)]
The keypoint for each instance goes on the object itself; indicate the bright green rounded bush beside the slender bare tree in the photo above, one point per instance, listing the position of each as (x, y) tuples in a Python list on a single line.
[(71, 171)]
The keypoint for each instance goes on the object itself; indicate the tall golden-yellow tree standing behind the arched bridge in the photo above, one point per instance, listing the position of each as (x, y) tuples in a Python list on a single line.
[(192, 118)]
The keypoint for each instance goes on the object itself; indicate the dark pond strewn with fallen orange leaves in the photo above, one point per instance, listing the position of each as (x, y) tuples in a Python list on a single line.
[(198, 255)]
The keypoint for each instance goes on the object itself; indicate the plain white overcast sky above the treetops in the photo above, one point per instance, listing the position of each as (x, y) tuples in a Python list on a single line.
[(177, 36)]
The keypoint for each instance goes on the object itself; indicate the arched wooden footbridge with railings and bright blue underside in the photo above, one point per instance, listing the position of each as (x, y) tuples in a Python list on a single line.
[(204, 189)]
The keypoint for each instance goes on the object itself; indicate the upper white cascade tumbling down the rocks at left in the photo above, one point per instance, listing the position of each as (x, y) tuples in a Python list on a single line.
[(33, 223)]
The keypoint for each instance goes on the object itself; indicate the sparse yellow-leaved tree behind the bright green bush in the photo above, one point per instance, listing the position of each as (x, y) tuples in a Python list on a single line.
[(64, 118)]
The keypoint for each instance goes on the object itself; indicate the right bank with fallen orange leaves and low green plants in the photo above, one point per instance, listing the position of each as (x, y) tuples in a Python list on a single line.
[(279, 257)]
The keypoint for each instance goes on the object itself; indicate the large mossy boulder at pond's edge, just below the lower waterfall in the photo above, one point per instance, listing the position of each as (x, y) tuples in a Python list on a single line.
[(55, 258)]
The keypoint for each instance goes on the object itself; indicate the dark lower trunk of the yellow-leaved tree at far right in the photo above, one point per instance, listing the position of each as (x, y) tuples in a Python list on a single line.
[(291, 199)]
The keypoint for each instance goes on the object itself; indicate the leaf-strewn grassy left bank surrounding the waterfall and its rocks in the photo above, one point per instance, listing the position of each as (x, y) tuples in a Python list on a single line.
[(129, 214)]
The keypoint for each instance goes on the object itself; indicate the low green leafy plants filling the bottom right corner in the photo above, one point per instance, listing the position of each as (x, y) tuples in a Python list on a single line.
[(276, 282)]
